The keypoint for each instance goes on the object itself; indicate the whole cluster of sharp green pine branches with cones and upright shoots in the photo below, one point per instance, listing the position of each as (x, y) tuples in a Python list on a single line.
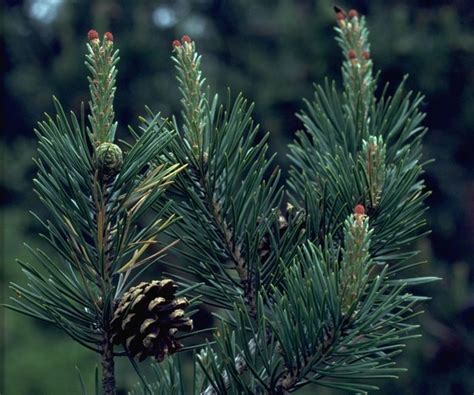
[(306, 275)]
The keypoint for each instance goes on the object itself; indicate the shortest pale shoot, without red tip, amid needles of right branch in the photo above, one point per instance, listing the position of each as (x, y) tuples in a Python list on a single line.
[(373, 160)]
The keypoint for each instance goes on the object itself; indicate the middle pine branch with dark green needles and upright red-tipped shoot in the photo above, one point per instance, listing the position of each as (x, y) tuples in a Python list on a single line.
[(226, 204)]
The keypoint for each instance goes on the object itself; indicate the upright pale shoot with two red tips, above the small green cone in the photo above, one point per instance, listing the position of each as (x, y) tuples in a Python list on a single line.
[(101, 60)]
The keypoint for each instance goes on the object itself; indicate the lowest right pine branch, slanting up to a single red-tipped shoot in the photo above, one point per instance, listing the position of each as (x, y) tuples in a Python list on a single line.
[(313, 340)]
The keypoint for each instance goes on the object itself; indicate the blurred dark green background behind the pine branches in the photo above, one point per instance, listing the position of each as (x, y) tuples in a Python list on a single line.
[(272, 51)]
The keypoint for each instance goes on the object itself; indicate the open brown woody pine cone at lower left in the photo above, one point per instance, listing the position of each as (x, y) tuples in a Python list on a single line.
[(147, 318)]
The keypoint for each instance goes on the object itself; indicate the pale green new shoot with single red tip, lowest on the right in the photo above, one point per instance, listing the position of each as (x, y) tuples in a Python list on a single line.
[(355, 258)]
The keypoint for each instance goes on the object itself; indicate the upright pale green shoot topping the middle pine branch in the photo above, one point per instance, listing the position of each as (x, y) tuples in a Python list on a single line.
[(194, 100)]
